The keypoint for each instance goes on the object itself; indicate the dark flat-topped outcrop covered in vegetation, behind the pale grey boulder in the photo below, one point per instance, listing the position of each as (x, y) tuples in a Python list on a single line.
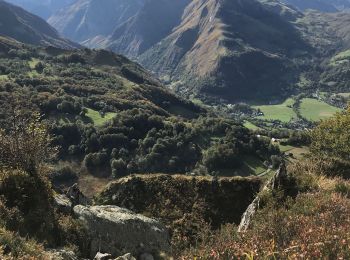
[(174, 198)]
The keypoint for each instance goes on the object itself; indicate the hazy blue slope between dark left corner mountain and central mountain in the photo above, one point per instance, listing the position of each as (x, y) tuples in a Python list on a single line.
[(92, 20)]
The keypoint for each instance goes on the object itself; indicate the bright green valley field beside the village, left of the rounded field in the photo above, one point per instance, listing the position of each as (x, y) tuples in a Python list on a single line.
[(283, 112)]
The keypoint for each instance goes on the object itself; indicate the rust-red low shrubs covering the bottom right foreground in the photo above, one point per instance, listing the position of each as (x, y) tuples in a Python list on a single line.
[(314, 226)]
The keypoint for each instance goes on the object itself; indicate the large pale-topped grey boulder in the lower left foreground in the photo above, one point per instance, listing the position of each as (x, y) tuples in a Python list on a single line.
[(118, 231)]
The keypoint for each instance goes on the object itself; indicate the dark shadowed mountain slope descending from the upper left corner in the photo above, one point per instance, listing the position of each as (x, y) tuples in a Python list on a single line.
[(25, 27)]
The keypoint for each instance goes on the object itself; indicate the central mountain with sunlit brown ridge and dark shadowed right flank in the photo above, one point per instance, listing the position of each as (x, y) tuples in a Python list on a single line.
[(221, 48)]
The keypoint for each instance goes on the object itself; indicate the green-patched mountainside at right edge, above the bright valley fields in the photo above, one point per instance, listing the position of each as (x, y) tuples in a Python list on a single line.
[(330, 34)]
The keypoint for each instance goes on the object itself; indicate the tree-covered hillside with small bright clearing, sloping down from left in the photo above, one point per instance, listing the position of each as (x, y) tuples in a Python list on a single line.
[(113, 118)]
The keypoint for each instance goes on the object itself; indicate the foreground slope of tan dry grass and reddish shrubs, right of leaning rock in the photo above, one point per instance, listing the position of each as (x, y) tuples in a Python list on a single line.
[(314, 225)]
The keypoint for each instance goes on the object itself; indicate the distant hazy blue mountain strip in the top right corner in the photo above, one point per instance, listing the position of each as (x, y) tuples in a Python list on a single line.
[(320, 5)]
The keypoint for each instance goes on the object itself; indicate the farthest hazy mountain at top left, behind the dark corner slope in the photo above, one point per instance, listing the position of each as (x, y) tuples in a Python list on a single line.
[(42, 8)]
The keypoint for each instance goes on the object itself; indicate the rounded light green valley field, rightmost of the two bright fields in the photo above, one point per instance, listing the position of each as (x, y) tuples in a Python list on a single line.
[(315, 110)]
